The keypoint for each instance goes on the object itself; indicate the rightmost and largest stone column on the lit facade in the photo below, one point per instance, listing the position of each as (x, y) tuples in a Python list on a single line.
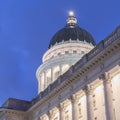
[(108, 95)]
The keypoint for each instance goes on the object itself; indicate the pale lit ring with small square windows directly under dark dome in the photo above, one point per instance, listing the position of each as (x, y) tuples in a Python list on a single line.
[(67, 48)]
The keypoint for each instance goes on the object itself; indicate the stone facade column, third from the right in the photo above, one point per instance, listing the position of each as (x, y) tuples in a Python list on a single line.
[(74, 101)]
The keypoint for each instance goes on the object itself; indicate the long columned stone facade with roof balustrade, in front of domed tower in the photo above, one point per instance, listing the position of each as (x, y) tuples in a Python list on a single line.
[(87, 91)]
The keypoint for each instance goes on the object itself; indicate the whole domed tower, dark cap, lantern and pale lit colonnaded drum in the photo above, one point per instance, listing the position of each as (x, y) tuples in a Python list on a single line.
[(66, 47)]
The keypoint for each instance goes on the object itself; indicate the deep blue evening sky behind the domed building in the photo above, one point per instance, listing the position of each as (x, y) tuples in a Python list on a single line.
[(26, 27)]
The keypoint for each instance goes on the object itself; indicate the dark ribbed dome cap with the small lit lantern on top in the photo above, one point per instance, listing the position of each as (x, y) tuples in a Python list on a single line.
[(71, 32)]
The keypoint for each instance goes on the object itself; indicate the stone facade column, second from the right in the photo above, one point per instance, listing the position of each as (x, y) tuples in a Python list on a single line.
[(89, 99)]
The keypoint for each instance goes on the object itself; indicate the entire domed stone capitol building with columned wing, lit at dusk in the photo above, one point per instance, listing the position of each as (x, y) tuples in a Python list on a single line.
[(77, 80)]
